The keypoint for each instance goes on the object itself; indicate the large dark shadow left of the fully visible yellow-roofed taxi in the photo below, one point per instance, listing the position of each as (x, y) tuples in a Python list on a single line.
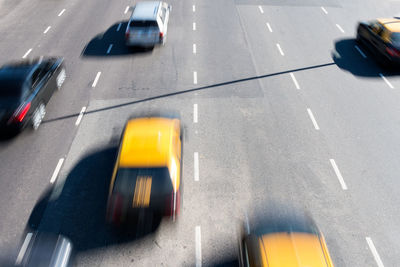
[(77, 210)]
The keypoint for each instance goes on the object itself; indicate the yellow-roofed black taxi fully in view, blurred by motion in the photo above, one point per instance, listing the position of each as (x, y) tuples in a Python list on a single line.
[(147, 172)]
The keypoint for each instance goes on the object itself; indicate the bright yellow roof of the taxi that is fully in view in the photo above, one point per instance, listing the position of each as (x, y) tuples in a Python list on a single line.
[(146, 142)]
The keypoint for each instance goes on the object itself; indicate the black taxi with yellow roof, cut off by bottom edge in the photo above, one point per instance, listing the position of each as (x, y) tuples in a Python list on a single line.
[(285, 243)]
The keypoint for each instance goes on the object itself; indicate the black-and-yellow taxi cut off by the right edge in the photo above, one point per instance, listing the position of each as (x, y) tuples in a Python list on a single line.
[(382, 37)]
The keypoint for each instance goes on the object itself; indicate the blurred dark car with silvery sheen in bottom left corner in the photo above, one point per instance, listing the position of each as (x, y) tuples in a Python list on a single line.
[(45, 249)]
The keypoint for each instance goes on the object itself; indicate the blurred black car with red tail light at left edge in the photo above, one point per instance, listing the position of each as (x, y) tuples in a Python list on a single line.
[(25, 89)]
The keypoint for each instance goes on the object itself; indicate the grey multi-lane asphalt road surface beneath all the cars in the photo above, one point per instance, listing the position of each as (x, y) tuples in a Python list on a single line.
[(262, 68)]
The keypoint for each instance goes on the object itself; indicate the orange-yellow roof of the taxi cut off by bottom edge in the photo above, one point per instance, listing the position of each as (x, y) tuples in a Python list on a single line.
[(292, 249)]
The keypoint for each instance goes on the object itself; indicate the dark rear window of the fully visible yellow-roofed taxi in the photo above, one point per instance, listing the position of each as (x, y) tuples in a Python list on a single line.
[(126, 178)]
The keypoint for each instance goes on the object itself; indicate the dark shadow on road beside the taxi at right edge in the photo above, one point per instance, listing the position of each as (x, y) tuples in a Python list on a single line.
[(349, 59)]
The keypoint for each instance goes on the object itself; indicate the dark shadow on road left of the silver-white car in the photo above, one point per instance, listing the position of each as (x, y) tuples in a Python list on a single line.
[(99, 46)]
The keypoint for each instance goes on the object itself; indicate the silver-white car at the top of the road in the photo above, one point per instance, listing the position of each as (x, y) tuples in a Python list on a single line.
[(148, 24)]
